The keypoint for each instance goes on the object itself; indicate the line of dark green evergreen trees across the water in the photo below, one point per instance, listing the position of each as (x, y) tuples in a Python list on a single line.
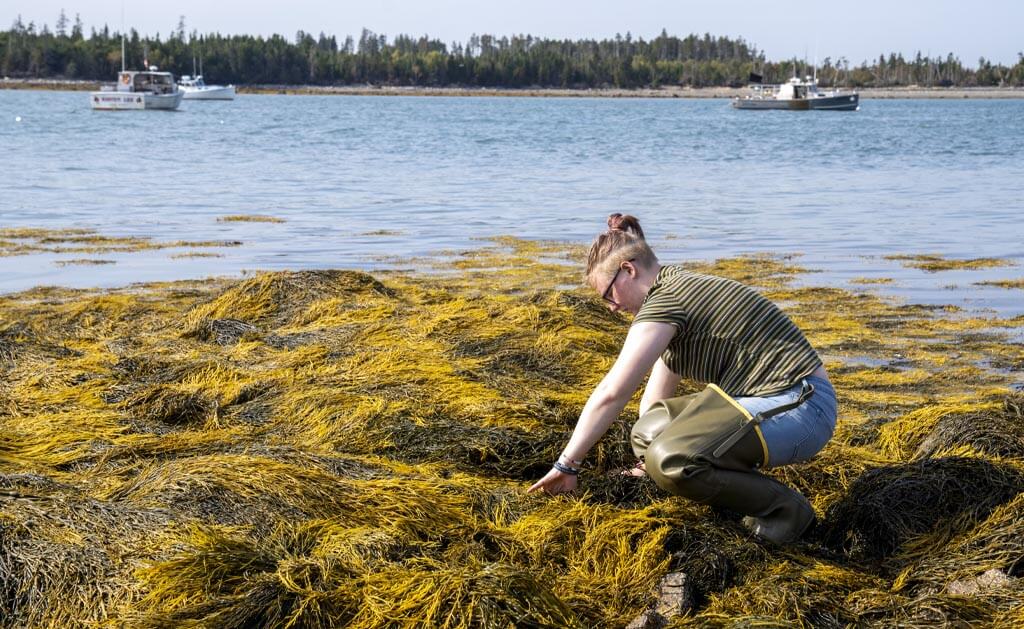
[(484, 61)]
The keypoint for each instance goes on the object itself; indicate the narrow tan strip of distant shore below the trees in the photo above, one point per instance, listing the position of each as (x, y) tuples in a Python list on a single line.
[(611, 93)]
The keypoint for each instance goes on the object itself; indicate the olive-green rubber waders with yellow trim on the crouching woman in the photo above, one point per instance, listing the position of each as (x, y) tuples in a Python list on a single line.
[(708, 448)]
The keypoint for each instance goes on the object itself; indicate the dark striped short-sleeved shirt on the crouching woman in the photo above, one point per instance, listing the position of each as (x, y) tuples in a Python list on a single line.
[(729, 334)]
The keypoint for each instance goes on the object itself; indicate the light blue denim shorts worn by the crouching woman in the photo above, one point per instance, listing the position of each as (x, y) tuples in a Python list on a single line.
[(800, 434)]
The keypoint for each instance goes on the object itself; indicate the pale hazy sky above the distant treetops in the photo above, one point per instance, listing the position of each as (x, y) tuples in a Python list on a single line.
[(782, 29)]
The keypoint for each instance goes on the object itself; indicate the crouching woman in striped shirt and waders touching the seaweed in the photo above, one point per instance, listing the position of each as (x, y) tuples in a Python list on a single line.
[(769, 401)]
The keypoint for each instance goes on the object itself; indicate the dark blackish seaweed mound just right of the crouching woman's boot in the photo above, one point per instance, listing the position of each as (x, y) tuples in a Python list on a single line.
[(891, 507)]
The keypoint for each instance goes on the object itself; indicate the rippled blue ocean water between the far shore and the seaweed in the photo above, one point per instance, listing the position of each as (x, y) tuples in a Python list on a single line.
[(369, 183)]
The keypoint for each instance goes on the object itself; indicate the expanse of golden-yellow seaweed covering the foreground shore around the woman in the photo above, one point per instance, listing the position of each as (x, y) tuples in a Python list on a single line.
[(330, 448)]
